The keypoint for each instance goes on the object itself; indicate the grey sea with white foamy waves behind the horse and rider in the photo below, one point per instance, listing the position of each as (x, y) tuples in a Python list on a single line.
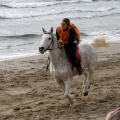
[(21, 22)]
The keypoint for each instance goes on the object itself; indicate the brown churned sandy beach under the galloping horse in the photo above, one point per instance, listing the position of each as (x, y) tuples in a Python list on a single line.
[(29, 92)]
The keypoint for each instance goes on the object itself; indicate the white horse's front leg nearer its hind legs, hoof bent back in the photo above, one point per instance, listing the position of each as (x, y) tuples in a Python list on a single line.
[(67, 94)]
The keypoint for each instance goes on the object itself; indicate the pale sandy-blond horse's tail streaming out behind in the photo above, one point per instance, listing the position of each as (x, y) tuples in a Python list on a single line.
[(100, 42)]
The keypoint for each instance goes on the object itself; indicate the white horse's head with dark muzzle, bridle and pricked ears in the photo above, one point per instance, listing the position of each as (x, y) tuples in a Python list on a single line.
[(46, 41)]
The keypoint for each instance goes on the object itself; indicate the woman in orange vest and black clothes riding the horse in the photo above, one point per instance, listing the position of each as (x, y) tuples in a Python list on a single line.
[(66, 36)]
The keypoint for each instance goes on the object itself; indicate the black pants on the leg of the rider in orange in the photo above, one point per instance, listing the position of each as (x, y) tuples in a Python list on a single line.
[(71, 54)]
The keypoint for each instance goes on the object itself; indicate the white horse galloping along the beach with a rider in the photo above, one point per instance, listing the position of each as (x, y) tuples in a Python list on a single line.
[(60, 68)]
